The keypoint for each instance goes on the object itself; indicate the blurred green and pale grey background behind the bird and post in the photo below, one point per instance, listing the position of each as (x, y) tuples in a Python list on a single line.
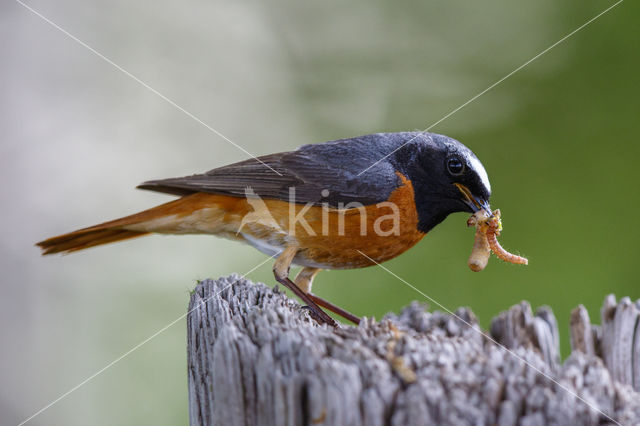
[(558, 139)]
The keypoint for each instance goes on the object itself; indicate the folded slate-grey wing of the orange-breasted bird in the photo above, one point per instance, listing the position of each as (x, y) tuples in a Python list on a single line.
[(304, 174)]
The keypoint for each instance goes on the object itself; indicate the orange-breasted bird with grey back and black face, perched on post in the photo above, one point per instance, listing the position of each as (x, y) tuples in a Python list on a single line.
[(342, 204)]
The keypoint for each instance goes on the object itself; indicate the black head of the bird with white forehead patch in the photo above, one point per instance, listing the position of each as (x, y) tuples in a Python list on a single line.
[(446, 176)]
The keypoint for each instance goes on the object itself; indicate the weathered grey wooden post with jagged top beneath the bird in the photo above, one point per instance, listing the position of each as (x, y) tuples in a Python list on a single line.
[(256, 358)]
